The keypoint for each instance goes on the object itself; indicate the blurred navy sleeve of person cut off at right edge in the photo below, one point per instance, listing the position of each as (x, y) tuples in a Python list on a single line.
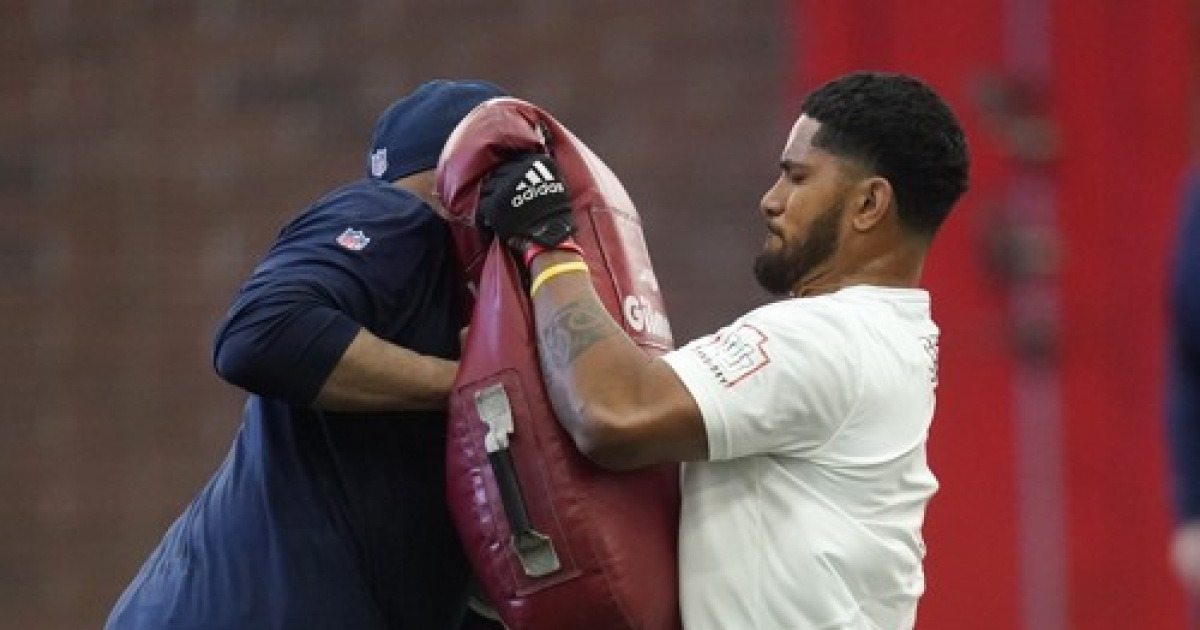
[(1184, 395)]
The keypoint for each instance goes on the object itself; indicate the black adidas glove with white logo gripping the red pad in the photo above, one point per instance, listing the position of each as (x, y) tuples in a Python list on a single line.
[(525, 202)]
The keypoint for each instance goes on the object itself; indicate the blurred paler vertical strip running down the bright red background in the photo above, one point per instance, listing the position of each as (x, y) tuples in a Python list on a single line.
[(1036, 321)]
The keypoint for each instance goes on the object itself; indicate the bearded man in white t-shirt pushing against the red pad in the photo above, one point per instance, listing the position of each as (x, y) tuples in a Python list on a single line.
[(802, 427)]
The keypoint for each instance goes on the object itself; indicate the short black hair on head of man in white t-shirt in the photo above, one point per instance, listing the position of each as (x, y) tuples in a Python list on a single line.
[(902, 130)]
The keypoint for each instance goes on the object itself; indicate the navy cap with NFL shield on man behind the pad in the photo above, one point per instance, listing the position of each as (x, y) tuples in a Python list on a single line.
[(411, 134)]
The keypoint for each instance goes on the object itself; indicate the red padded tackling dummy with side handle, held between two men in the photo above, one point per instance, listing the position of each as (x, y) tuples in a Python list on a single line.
[(556, 542)]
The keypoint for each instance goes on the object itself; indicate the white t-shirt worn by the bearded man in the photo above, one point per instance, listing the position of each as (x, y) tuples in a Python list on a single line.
[(809, 513)]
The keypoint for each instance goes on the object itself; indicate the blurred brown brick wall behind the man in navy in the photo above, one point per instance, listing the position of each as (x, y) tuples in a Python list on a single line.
[(149, 151)]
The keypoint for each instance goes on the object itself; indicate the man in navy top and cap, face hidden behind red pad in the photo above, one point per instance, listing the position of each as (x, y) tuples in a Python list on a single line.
[(329, 511)]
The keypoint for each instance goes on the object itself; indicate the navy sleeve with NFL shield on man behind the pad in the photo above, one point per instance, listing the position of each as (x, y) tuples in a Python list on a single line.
[(329, 274)]
